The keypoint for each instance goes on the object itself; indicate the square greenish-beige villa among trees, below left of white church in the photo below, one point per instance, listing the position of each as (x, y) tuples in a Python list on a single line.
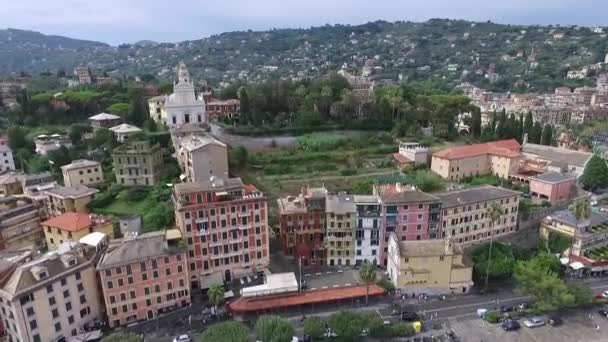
[(138, 163)]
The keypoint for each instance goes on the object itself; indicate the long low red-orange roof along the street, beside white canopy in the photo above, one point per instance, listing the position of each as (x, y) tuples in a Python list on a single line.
[(255, 304)]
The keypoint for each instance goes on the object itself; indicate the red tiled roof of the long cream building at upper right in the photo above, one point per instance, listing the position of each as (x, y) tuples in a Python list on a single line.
[(505, 148)]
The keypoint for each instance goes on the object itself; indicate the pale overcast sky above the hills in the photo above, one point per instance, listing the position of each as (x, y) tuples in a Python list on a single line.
[(118, 21)]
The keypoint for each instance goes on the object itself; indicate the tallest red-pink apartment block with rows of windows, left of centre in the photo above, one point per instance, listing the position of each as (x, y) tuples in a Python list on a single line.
[(225, 224)]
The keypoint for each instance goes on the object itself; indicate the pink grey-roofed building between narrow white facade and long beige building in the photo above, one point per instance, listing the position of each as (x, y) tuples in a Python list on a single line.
[(411, 214)]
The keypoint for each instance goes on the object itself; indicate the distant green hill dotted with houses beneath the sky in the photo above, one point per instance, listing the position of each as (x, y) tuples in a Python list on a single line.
[(499, 57)]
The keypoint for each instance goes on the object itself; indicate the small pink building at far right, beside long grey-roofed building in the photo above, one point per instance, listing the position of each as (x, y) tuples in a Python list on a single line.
[(552, 186)]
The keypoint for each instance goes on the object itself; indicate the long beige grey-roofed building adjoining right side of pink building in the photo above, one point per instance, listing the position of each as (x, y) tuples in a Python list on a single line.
[(465, 213)]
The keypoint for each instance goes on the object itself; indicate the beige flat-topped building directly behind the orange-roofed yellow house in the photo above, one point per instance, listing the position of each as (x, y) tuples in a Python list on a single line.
[(65, 199)]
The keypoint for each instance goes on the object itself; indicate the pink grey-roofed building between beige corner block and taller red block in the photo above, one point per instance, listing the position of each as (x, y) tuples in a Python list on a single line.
[(144, 276)]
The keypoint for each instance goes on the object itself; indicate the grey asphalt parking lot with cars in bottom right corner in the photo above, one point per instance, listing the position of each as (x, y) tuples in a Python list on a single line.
[(577, 326)]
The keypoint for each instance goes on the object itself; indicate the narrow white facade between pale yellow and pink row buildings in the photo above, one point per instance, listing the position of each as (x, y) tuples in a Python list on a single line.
[(368, 232)]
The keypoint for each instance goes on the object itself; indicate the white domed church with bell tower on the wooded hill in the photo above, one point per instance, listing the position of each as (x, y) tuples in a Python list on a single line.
[(183, 106)]
